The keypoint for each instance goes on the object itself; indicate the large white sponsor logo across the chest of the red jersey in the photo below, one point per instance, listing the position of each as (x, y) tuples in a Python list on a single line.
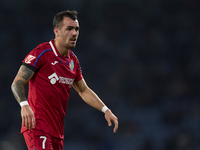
[(54, 78)]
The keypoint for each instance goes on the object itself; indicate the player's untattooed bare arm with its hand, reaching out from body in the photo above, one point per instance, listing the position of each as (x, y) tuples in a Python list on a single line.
[(93, 100)]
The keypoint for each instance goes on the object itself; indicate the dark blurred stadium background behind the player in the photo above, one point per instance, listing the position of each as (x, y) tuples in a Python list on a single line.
[(141, 57)]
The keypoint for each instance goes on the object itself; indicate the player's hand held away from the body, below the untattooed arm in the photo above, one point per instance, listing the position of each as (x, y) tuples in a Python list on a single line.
[(110, 117)]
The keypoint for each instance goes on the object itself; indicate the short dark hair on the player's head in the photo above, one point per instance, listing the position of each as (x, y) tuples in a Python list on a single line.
[(58, 18)]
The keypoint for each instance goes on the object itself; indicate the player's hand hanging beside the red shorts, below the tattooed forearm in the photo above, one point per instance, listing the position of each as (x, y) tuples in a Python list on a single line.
[(28, 118)]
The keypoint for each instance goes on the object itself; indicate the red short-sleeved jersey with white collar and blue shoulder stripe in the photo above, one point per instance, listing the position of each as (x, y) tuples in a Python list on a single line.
[(50, 86)]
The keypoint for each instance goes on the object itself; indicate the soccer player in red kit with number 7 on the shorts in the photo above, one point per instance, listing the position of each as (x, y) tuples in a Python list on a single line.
[(51, 70)]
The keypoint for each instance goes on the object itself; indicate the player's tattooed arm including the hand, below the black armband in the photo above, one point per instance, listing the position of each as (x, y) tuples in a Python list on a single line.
[(23, 76)]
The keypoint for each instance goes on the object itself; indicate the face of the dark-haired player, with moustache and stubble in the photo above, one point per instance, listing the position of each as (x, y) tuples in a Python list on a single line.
[(67, 34)]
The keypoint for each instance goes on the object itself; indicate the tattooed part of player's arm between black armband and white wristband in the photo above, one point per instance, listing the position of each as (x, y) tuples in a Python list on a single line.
[(23, 76)]
